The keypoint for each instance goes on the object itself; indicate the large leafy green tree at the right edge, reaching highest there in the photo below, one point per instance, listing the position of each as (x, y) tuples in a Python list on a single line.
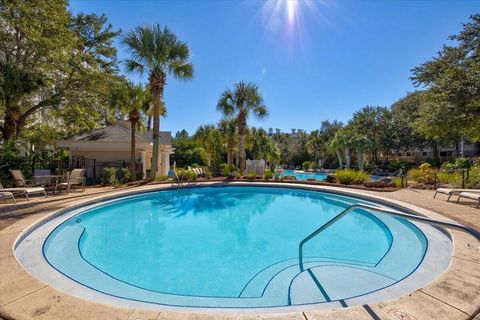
[(453, 82)]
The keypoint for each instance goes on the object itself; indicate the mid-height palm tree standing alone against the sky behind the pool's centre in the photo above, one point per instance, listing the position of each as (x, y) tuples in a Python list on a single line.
[(240, 103)]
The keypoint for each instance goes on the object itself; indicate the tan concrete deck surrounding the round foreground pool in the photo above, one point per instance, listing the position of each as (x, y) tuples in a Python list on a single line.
[(454, 295)]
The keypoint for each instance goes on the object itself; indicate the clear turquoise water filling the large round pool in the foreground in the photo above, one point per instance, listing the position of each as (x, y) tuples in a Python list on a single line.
[(238, 246)]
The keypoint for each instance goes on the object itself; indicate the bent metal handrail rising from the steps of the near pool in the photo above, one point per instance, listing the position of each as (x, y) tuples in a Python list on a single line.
[(433, 222)]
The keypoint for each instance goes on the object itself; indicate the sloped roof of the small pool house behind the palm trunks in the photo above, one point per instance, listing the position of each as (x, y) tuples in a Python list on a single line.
[(119, 132)]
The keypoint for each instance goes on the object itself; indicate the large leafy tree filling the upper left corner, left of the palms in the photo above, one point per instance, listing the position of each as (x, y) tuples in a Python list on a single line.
[(48, 66)]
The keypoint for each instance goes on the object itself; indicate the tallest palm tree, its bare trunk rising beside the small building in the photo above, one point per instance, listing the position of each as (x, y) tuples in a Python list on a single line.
[(157, 52)]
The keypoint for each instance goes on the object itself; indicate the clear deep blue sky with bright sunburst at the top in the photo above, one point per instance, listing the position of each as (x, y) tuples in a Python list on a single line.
[(313, 60)]
